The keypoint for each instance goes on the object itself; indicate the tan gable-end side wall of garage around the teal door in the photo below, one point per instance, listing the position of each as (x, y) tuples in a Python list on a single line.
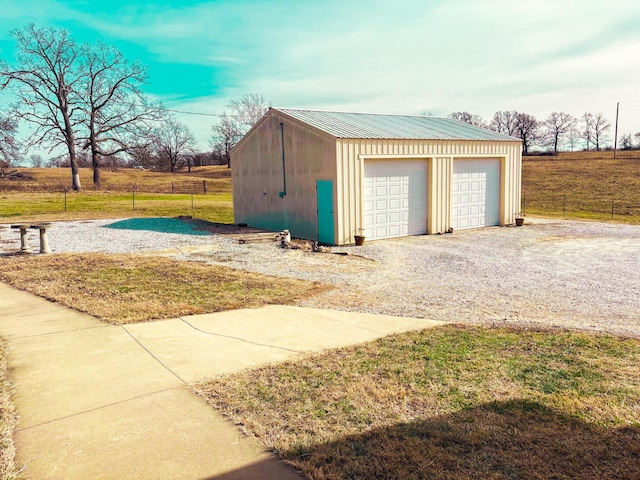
[(257, 175)]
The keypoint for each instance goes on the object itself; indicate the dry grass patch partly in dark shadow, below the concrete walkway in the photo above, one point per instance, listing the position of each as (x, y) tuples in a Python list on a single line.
[(450, 403)]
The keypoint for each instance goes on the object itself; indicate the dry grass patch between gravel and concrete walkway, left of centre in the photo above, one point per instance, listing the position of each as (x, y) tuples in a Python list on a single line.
[(132, 288)]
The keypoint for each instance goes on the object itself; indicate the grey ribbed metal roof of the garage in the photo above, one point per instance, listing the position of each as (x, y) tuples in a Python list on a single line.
[(401, 127)]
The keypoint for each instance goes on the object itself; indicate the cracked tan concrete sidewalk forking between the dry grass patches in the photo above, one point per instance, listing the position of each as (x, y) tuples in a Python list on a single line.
[(112, 402)]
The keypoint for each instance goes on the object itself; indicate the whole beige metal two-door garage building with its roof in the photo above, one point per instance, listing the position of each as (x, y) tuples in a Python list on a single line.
[(328, 176)]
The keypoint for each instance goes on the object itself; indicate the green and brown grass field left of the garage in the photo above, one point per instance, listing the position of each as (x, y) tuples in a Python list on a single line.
[(125, 193)]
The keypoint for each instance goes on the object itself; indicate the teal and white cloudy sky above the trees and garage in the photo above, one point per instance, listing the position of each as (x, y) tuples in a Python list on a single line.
[(396, 56)]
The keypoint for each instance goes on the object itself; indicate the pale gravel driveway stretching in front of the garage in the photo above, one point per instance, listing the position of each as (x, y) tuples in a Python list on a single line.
[(563, 273)]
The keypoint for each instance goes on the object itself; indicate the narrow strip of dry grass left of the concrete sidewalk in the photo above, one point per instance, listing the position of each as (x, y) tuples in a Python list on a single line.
[(8, 421)]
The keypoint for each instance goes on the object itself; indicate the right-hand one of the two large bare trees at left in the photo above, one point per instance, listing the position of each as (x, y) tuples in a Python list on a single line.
[(118, 117)]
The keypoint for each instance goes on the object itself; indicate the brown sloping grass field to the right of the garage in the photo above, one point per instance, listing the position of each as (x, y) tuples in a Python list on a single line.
[(583, 185)]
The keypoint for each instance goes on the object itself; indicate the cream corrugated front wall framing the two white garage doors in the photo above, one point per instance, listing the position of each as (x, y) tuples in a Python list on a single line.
[(352, 153)]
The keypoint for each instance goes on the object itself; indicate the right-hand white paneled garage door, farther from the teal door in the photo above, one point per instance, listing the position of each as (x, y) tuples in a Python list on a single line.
[(476, 193)]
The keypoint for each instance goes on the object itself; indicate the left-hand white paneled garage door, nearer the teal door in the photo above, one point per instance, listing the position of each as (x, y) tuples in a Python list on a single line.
[(395, 198)]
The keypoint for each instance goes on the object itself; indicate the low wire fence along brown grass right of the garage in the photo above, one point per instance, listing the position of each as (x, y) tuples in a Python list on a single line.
[(577, 206)]
